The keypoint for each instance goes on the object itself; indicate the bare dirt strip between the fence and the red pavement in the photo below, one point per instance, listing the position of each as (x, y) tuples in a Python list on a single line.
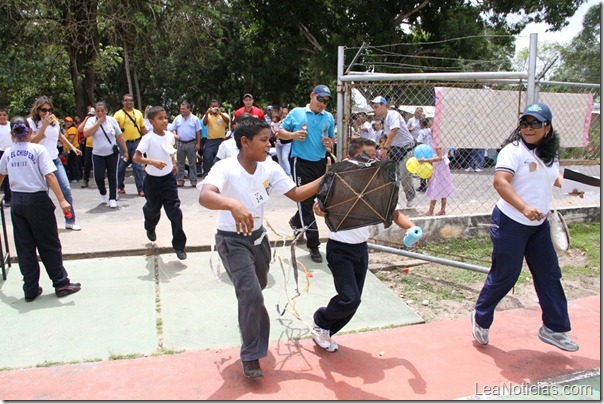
[(438, 292)]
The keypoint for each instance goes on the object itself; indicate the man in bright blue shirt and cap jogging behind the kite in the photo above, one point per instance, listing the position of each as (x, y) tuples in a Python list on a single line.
[(312, 130)]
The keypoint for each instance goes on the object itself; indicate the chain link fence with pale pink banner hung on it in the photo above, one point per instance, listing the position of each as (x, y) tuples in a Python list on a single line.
[(484, 117)]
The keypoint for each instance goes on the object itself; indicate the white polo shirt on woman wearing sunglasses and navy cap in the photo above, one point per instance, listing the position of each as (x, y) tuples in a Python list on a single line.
[(531, 181)]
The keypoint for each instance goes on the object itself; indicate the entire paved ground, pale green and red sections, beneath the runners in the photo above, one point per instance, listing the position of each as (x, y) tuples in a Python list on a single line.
[(147, 326)]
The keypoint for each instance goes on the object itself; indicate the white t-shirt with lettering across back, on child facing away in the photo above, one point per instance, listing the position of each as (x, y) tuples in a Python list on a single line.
[(27, 164)]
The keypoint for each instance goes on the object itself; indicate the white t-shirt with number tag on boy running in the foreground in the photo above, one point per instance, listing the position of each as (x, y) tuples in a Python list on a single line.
[(234, 182)]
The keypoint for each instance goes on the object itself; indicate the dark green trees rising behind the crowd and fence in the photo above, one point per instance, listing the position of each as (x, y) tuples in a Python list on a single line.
[(167, 51)]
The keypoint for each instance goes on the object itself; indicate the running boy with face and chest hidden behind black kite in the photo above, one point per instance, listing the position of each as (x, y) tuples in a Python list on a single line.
[(348, 260)]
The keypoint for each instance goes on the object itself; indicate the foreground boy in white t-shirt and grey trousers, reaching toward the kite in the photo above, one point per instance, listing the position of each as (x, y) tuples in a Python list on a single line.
[(239, 187)]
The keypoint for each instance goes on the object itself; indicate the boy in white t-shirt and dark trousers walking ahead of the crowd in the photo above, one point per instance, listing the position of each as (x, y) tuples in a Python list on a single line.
[(159, 184)]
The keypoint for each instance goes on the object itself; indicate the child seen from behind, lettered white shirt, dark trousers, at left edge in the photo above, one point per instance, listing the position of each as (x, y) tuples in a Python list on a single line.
[(32, 212)]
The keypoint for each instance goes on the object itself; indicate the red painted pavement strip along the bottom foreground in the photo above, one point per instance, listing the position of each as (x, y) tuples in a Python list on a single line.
[(436, 361)]
